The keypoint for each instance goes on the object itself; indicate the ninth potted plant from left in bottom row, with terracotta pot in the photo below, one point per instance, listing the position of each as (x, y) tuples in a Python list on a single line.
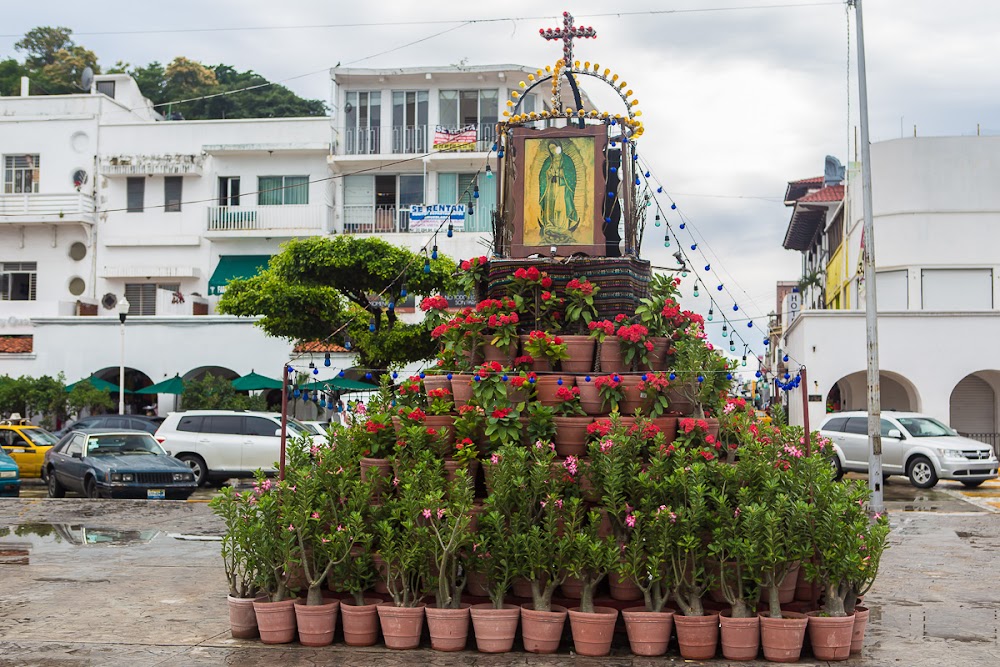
[(589, 558)]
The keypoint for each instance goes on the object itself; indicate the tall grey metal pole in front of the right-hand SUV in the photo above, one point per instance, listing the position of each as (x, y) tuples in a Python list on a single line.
[(871, 309)]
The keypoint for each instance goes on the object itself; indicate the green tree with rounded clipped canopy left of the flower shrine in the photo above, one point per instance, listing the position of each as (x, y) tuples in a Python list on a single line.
[(317, 285)]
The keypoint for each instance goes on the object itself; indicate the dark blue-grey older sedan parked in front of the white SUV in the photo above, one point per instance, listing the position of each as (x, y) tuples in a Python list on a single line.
[(115, 464)]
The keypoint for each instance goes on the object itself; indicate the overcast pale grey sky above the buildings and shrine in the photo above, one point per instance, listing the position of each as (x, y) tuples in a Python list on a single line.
[(736, 102)]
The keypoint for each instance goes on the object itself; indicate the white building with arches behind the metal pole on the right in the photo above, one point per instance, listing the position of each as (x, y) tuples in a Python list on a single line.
[(937, 227)]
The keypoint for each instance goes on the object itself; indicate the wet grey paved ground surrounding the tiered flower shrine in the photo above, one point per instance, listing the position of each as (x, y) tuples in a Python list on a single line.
[(134, 583)]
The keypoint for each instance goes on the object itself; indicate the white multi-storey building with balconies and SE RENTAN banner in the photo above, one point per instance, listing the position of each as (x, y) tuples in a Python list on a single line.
[(102, 198)]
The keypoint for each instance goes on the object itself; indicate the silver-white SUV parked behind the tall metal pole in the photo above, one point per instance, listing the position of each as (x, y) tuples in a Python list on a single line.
[(916, 445)]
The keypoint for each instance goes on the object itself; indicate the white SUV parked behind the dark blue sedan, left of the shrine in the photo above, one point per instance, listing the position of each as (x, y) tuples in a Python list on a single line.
[(222, 444)]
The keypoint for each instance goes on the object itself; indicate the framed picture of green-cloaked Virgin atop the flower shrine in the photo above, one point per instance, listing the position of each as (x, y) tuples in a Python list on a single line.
[(558, 191)]
